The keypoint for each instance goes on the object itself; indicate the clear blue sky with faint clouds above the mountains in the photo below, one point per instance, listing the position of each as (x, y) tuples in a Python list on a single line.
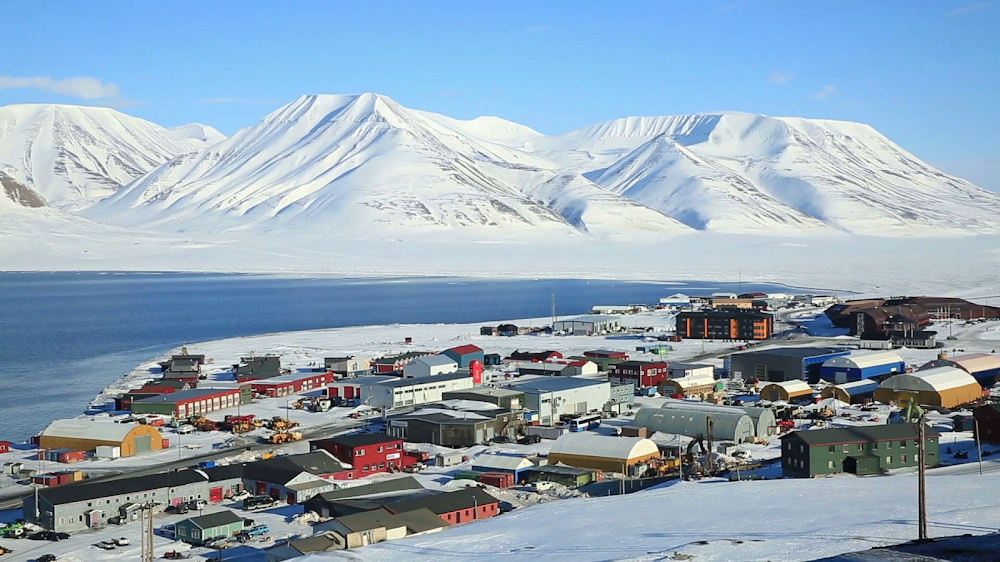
[(924, 73)]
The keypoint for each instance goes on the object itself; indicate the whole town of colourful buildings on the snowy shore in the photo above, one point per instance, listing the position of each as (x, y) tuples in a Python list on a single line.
[(296, 449)]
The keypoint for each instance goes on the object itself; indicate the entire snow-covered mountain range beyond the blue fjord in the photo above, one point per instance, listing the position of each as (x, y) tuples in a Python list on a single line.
[(366, 167)]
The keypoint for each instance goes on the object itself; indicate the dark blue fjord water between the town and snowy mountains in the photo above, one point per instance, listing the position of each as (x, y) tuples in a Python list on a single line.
[(65, 336)]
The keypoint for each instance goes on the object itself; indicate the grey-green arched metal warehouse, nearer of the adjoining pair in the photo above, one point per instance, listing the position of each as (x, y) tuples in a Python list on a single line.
[(730, 425)]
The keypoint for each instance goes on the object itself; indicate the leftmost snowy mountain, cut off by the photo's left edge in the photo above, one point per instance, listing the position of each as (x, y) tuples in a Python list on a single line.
[(70, 154)]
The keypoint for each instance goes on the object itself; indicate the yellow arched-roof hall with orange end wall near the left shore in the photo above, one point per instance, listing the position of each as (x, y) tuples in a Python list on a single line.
[(88, 435)]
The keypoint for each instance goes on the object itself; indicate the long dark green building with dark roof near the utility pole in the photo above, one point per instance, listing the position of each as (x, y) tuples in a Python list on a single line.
[(860, 450)]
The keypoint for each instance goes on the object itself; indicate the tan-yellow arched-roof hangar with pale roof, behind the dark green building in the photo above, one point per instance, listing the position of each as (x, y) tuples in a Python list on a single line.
[(944, 387)]
